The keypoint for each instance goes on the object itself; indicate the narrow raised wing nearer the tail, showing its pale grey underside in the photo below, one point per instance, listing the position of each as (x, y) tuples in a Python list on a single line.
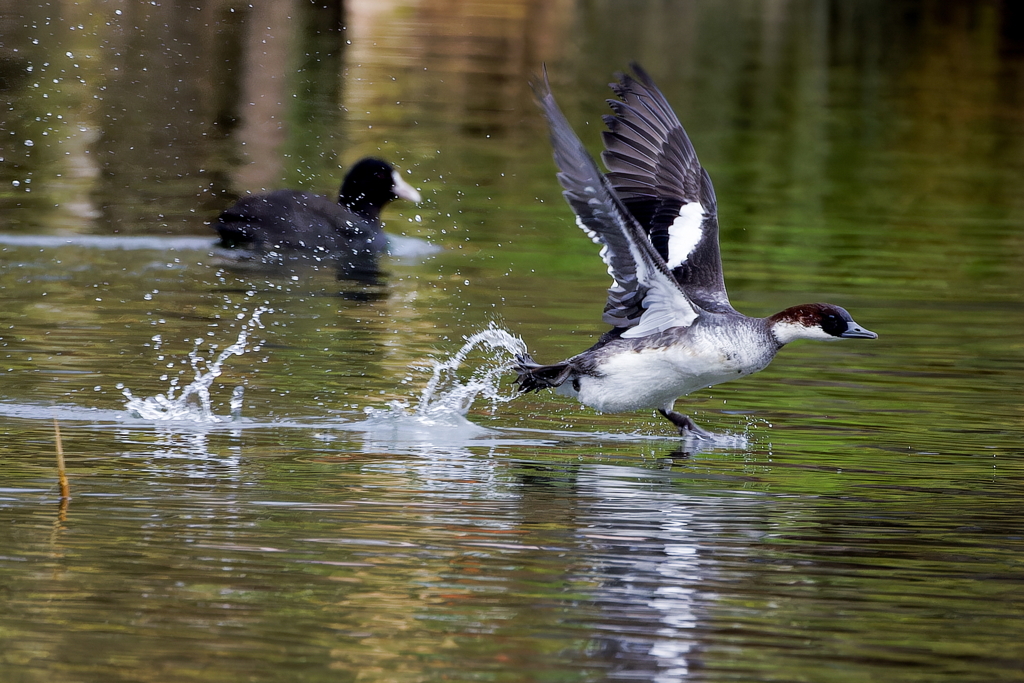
[(645, 296)]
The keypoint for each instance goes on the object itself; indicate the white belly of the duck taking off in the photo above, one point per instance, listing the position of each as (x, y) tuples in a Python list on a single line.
[(654, 378)]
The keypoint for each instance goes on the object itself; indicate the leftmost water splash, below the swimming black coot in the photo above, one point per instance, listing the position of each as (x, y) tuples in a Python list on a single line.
[(194, 404)]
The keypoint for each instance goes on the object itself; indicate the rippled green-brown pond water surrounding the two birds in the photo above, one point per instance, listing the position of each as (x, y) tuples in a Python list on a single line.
[(861, 522)]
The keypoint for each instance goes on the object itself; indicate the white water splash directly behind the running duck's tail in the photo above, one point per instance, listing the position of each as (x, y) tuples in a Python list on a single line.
[(448, 397)]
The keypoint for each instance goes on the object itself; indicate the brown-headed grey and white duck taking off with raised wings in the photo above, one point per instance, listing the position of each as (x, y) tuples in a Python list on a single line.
[(656, 217)]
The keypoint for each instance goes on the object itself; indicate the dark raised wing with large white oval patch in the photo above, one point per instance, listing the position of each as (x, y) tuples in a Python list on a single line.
[(656, 173)]
